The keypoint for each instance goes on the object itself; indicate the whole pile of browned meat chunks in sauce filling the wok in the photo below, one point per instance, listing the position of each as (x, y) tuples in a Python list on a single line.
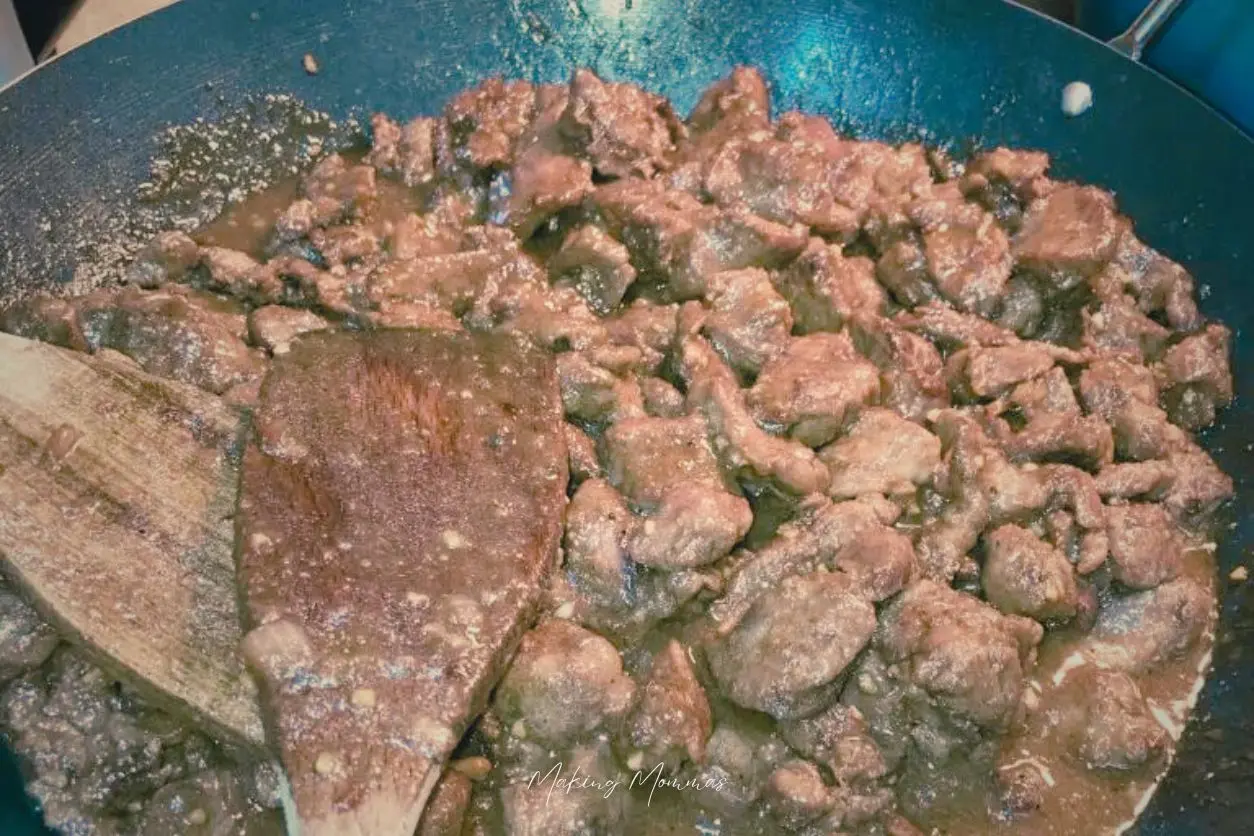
[(885, 508)]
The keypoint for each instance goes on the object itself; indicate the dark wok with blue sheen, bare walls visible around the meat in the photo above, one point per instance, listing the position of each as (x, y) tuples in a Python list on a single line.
[(76, 140)]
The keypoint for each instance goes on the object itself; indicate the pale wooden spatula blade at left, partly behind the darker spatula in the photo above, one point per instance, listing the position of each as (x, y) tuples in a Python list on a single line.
[(116, 496)]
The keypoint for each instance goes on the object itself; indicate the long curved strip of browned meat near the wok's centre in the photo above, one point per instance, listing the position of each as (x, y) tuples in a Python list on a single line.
[(743, 447)]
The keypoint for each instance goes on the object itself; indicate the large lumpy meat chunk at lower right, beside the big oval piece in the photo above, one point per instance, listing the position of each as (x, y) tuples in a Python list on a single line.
[(969, 656)]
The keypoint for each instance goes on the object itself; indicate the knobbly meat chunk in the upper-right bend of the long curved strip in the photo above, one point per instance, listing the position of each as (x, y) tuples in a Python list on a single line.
[(814, 387)]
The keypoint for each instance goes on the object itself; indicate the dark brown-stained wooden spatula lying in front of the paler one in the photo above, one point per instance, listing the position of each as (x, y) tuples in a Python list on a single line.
[(401, 509)]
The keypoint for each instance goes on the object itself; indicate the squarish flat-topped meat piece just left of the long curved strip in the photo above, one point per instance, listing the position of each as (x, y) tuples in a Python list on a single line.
[(649, 457)]
